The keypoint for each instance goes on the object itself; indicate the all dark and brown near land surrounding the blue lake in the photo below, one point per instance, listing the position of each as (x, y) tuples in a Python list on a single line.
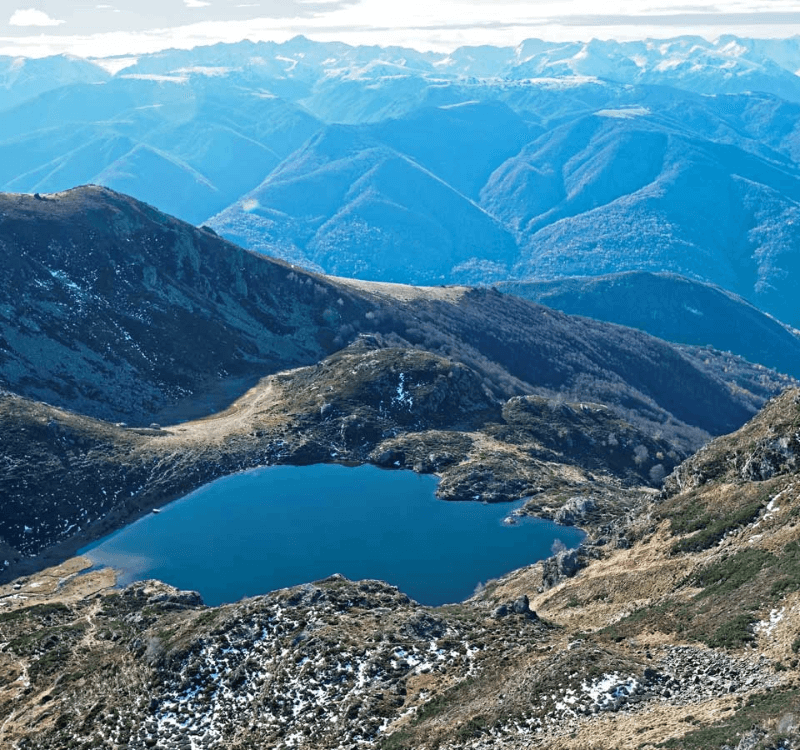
[(681, 602)]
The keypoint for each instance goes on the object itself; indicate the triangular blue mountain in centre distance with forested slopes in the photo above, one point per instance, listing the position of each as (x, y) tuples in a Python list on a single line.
[(353, 206)]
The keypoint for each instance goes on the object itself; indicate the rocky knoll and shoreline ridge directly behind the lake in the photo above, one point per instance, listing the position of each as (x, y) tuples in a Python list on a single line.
[(392, 407)]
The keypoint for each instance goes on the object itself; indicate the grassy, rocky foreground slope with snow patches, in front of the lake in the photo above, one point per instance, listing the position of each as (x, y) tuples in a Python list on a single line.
[(672, 625)]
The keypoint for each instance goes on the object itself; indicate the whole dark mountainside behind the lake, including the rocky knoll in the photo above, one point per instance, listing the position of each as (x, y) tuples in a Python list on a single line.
[(136, 319)]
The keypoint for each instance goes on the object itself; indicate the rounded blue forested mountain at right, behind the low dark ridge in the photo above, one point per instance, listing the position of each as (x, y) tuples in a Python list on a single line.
[(612, 193)]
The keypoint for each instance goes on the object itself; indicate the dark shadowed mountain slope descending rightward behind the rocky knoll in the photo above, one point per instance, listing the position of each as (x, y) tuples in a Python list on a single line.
[(127, 314)]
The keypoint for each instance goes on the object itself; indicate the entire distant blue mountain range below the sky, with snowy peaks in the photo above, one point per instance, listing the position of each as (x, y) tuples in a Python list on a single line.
[(481, 166)]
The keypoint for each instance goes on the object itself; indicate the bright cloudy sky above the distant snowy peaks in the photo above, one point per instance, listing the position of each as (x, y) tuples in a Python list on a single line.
[(113, 27)]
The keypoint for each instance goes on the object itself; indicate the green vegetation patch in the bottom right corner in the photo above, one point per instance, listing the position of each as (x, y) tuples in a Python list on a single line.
[(759, 711)]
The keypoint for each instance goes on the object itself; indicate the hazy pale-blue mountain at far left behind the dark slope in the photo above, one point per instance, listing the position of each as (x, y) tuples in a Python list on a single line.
[(191, 151)]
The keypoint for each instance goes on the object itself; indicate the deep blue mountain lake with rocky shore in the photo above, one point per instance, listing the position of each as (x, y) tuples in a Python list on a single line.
[(283, 525)]
